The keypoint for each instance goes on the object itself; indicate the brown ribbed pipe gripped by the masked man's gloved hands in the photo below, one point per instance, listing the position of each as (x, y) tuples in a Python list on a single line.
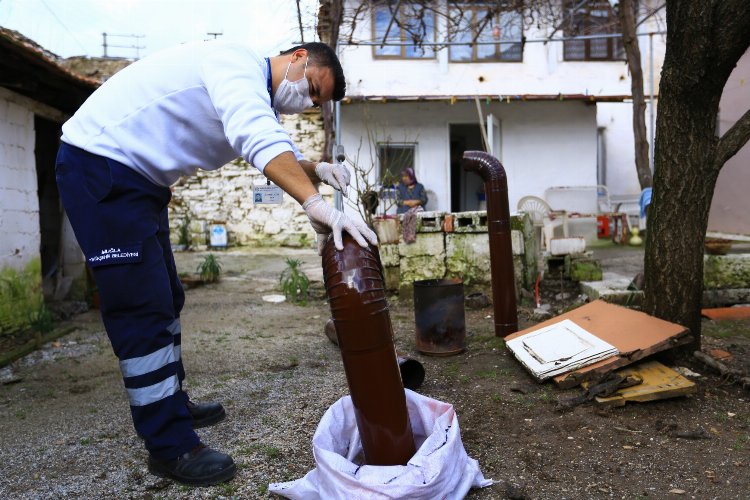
[(356, 294)]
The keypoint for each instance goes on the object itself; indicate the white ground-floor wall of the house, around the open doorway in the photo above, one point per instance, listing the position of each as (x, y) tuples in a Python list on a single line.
[(544, 143)]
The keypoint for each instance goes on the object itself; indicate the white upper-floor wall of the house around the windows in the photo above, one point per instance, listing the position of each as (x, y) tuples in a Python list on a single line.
[(543, 70)]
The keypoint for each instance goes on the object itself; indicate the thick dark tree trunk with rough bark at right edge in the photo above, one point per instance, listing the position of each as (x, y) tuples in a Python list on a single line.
[(704, 41)]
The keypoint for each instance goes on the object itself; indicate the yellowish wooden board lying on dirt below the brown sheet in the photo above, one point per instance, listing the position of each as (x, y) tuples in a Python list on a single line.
[(659, 382)]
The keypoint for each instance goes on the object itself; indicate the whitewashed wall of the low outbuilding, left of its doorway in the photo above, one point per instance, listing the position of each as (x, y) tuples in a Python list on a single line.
[(19, 203)]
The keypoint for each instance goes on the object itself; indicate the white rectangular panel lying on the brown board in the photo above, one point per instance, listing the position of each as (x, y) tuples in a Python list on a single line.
[(558, 348)]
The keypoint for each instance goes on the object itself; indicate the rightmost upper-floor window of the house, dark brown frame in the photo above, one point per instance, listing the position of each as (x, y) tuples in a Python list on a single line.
[(594, 17)]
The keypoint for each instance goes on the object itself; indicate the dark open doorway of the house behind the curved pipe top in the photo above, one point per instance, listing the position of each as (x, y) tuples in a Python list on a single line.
[(466, 188)]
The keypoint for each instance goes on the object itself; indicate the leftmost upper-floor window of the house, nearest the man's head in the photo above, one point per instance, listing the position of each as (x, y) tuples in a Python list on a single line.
[(412, 23)]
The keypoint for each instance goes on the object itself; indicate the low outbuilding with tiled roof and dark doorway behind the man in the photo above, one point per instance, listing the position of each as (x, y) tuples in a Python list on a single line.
[(37, 95)]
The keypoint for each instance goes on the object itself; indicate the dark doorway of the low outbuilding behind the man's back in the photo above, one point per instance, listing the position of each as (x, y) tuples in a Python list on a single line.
[(50, 212)]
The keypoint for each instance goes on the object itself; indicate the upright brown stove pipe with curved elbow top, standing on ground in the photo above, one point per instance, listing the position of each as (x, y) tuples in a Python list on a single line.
[(501, 248)]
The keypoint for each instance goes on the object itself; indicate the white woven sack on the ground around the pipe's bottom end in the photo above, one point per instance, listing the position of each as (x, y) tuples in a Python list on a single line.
[(440, 469)]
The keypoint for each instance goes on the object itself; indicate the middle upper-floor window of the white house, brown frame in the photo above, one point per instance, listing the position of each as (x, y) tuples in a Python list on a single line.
[(497, 34)]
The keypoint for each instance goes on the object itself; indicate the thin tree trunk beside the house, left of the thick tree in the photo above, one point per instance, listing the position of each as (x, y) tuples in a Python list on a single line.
[(626, 13)]
